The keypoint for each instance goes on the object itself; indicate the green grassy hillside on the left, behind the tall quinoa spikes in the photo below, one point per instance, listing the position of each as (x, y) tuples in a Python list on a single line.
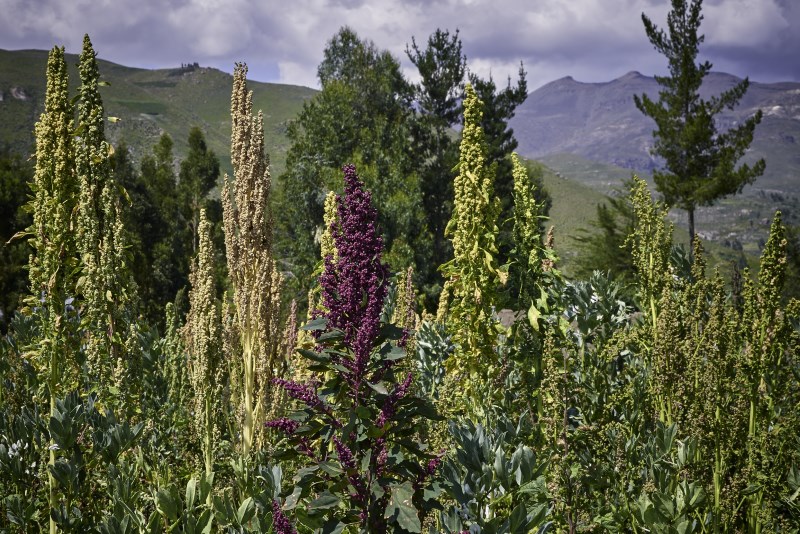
[(149, 102)]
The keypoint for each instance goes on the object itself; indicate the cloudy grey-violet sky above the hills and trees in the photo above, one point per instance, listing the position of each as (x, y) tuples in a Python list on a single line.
[(590, 40)]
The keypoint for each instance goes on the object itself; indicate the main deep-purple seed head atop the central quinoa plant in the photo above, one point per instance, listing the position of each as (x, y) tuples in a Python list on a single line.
[(354, 286)]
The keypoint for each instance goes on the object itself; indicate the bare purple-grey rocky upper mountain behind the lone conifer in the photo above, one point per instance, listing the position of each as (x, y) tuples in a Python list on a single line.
[(600, 122)]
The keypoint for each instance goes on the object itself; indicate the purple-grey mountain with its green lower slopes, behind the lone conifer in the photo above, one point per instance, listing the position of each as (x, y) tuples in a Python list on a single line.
[(593, 133)]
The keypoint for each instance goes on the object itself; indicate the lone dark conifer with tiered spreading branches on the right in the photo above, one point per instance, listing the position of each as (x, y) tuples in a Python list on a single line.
[(700, 162)]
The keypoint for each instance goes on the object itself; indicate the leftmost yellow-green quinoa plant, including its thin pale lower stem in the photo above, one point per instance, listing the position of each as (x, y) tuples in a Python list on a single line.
[(53, 263)]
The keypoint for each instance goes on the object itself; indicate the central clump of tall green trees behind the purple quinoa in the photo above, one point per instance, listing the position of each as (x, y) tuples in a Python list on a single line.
[(400, 137)]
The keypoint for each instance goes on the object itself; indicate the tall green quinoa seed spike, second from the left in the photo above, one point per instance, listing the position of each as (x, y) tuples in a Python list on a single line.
[(106, 284)]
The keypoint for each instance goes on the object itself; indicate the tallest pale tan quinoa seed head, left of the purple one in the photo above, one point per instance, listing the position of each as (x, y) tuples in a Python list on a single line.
[(254, 277)]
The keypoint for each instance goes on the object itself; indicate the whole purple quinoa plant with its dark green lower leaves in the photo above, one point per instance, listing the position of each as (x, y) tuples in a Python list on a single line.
[(355, 432)]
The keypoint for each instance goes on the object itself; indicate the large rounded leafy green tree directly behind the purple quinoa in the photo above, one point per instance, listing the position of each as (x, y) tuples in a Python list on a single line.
[(361, 116)]
